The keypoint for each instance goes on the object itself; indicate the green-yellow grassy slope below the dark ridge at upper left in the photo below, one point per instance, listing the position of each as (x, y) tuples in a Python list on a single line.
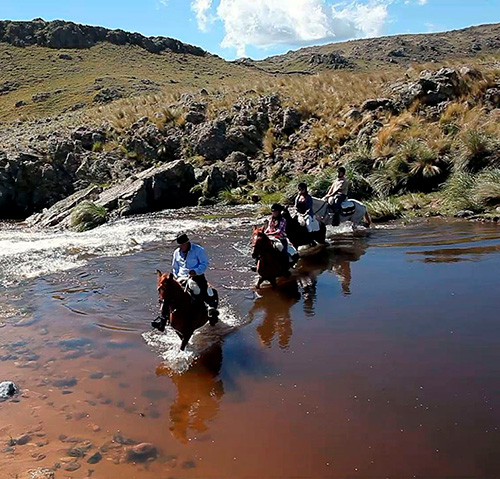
[(71, 79)]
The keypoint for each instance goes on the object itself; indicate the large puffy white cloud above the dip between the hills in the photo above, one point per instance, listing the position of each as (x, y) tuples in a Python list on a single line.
[(264, 23)]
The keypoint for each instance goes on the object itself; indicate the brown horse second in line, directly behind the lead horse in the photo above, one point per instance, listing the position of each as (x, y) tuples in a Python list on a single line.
[(271, 263)]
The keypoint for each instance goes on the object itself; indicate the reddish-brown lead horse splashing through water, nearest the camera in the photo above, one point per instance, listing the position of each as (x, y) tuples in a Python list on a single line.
[(180, 309)]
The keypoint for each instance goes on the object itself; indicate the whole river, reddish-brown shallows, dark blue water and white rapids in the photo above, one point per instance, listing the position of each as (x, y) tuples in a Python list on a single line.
[(379, 358)]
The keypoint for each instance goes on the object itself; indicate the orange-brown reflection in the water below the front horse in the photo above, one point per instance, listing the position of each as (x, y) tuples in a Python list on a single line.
[(199, 391)]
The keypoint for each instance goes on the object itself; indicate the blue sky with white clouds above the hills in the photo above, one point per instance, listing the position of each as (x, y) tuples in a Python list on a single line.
[(259, 28)]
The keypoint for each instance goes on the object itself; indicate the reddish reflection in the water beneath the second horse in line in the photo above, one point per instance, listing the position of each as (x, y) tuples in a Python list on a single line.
[(275, 305)]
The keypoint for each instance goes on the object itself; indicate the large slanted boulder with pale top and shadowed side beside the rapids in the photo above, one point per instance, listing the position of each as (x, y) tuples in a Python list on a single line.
[(167, 186)]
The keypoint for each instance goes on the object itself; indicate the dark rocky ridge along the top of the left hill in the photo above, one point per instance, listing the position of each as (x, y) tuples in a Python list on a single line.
[(61, 34)]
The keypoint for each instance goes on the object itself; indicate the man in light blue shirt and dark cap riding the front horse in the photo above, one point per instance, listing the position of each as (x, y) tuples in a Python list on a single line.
[(189, 263)]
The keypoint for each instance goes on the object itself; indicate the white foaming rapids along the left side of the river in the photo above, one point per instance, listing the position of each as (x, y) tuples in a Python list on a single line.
[(27, 253)]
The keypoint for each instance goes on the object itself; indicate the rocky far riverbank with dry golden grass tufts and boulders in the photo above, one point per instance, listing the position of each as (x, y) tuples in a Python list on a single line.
[(432, 132)]
